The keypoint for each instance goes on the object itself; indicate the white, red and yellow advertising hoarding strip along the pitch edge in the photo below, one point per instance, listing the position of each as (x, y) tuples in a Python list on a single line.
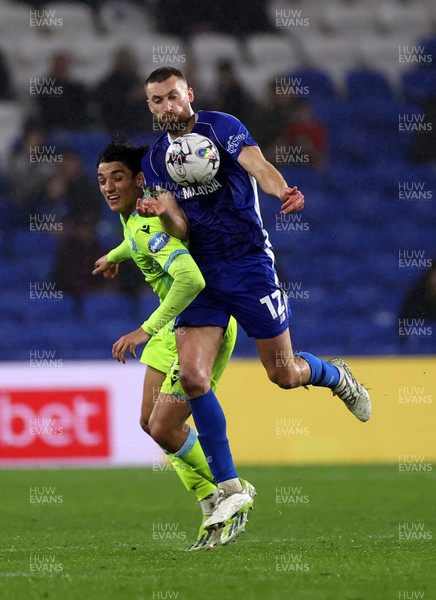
[(87, 413)]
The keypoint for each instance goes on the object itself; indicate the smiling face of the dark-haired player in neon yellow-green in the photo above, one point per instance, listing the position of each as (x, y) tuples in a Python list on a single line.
[(119, 186)]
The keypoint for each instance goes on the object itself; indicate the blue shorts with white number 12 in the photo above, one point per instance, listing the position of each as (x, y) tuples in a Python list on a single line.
[(246, 287)]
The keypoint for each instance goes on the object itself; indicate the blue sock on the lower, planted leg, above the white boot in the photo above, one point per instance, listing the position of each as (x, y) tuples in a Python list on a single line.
[(211, 426)]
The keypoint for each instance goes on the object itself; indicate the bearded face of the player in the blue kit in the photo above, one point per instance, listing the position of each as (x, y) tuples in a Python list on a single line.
[(170, 102)]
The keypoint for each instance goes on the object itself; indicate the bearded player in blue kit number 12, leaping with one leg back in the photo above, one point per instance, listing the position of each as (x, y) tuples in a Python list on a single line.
[(232, 249)]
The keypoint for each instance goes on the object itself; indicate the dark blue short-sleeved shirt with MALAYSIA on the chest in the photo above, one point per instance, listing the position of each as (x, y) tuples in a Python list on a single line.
[(224, 214)]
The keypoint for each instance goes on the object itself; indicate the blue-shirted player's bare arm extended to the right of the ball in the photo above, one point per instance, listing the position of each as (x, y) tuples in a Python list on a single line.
[(270, 179)]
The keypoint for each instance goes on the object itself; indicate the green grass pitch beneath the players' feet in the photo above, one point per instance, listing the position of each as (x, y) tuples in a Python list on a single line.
[(327, 533)]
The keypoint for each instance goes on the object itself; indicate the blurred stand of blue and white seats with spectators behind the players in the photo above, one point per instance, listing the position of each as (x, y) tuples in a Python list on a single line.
[(340, 96)]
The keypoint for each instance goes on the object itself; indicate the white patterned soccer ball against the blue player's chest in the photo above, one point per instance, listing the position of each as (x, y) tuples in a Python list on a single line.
[(192, 159)]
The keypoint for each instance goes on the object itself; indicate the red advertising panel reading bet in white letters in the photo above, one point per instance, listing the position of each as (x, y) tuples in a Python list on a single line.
[(54, 423)]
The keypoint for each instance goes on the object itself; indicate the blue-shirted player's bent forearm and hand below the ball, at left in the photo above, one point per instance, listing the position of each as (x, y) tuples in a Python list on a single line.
[(165, 206)]
